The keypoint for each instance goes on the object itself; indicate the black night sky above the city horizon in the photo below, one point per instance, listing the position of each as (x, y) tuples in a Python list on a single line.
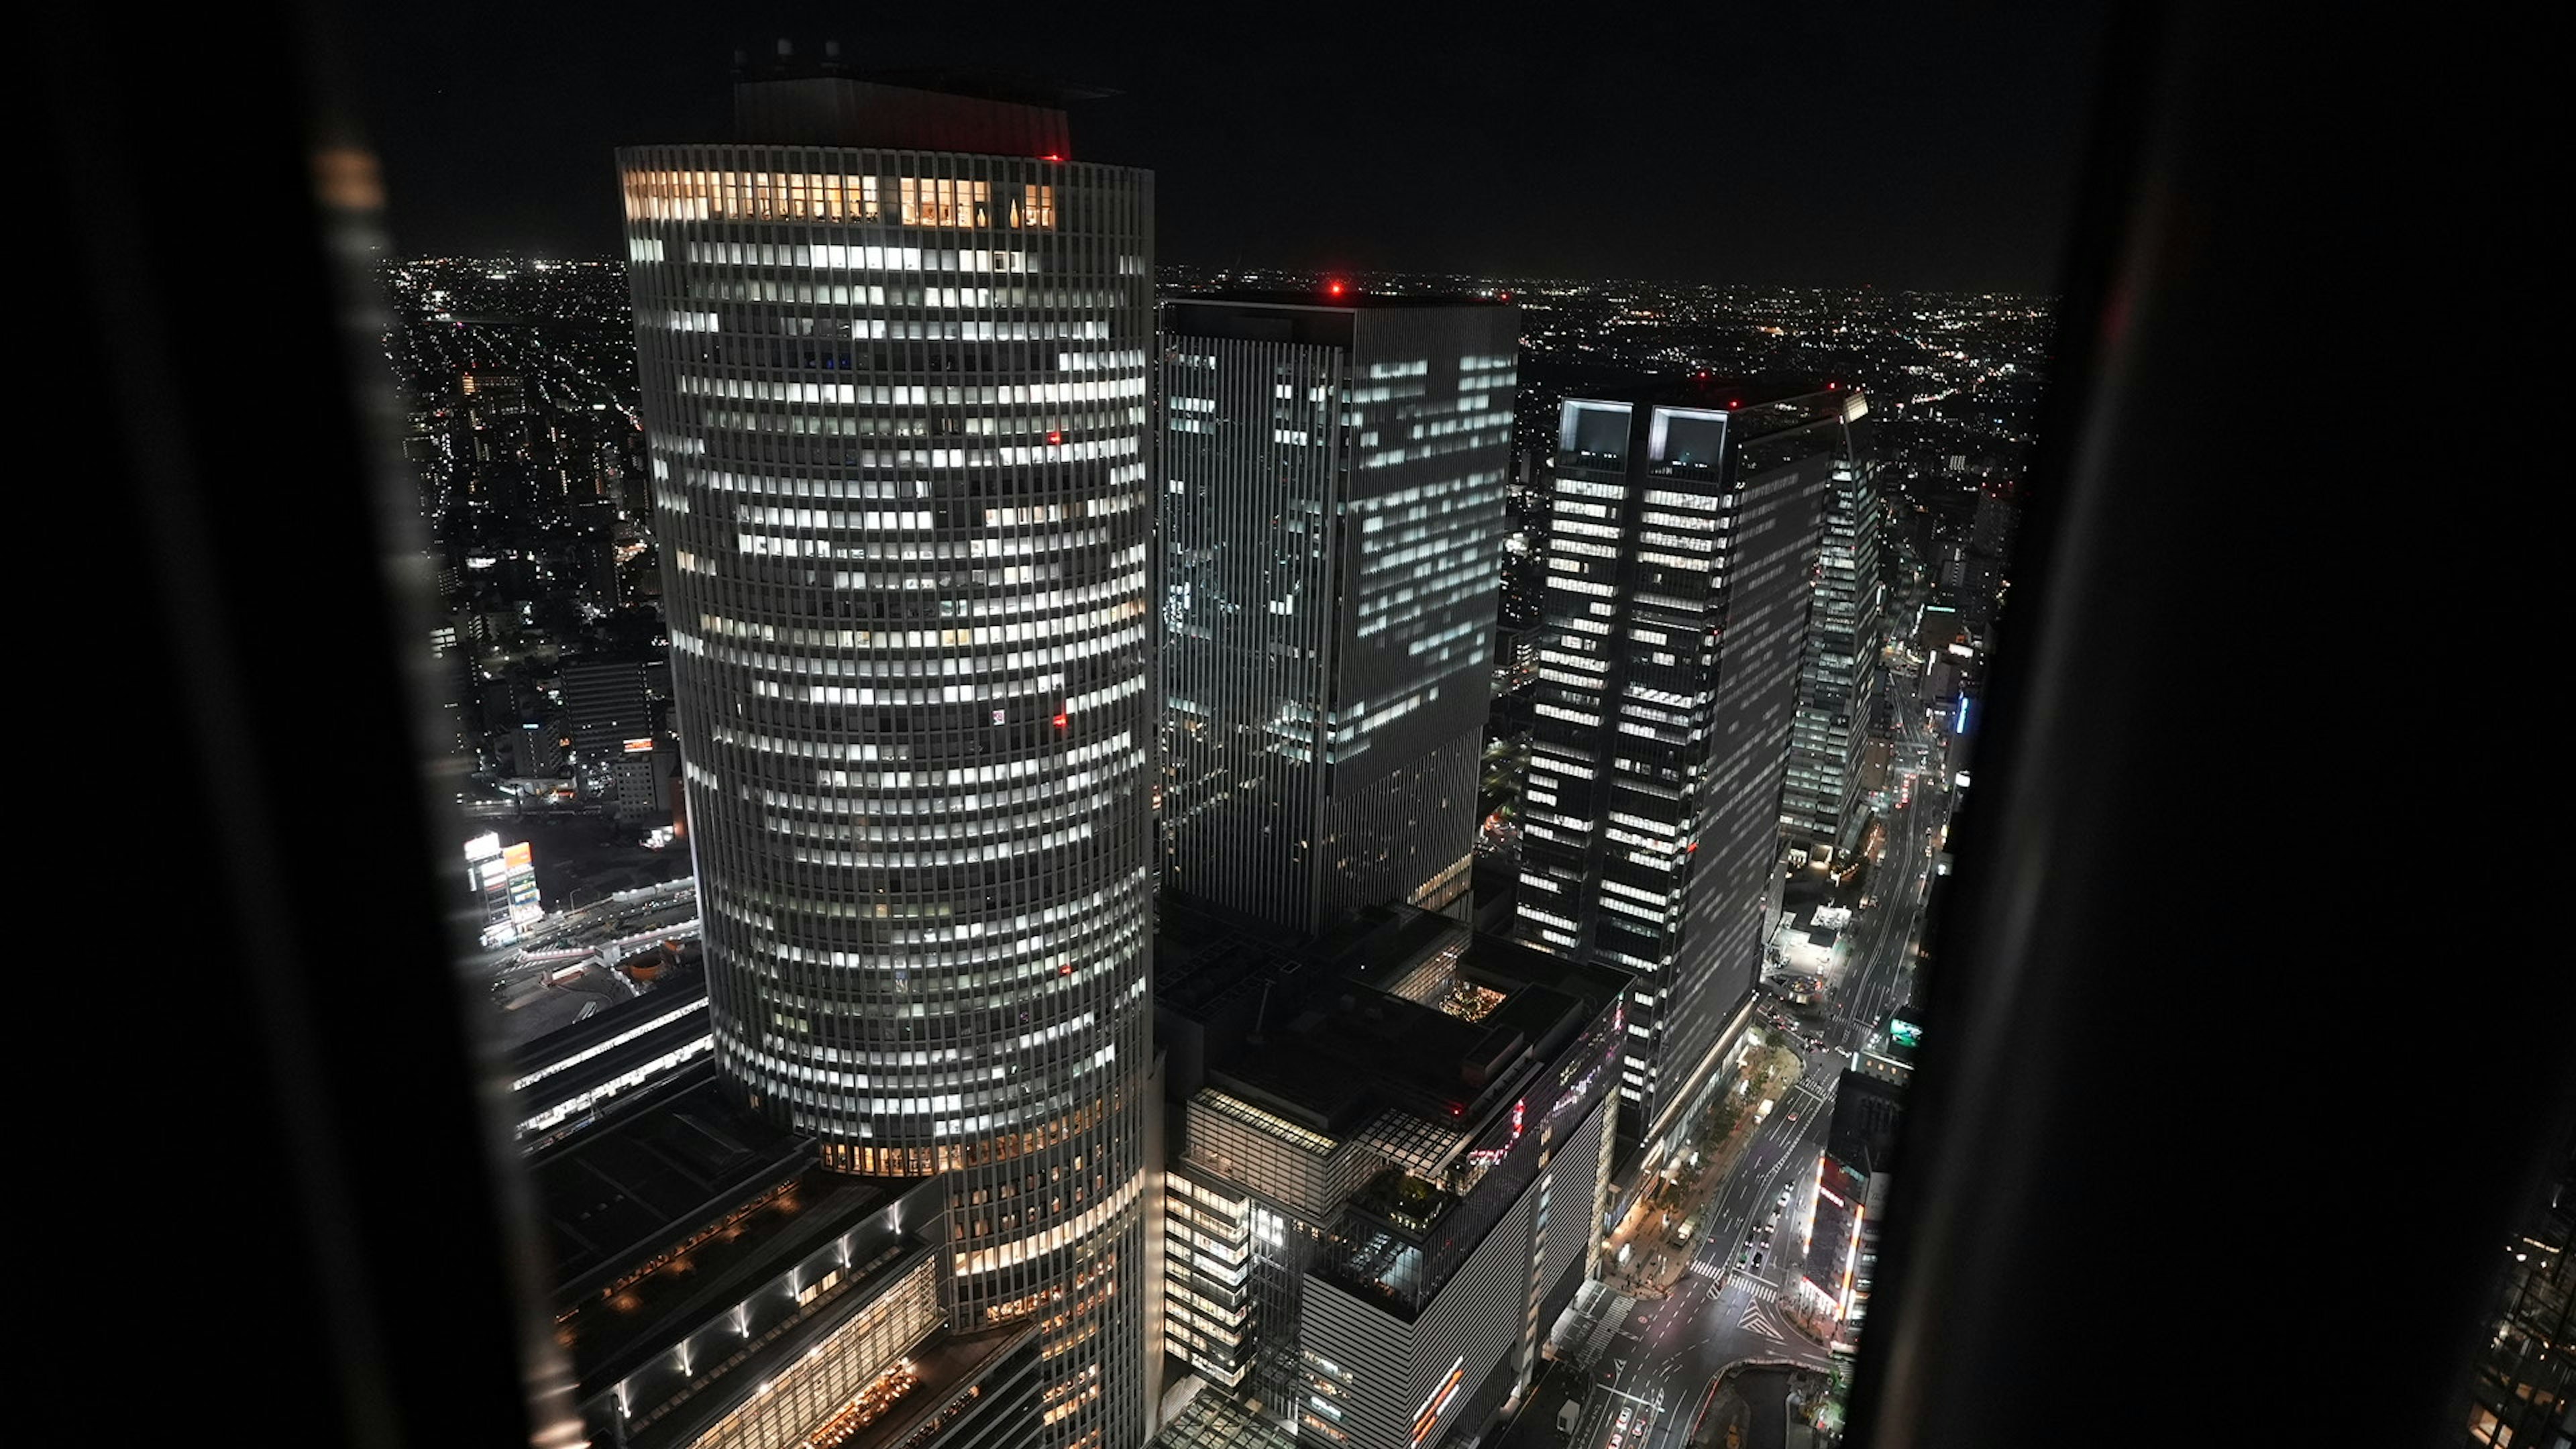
[(1897, 146)]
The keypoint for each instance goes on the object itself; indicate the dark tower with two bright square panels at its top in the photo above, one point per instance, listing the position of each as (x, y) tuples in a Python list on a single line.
[(1683, 532)]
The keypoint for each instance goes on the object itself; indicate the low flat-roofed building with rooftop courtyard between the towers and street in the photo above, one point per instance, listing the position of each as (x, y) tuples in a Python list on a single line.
[(1392, 1167)]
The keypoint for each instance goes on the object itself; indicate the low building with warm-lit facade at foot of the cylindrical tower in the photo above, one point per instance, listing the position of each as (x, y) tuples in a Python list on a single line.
[(720, 1290)]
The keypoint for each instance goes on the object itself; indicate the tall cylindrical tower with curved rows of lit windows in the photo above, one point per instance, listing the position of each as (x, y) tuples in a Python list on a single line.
[(893, 355)]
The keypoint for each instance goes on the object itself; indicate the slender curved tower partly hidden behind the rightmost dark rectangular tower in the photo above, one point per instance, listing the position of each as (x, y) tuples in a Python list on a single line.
[(1838, 685)]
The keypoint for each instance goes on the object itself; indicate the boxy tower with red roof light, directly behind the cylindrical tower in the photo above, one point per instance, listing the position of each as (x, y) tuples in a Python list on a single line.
[(1331, 561)]
